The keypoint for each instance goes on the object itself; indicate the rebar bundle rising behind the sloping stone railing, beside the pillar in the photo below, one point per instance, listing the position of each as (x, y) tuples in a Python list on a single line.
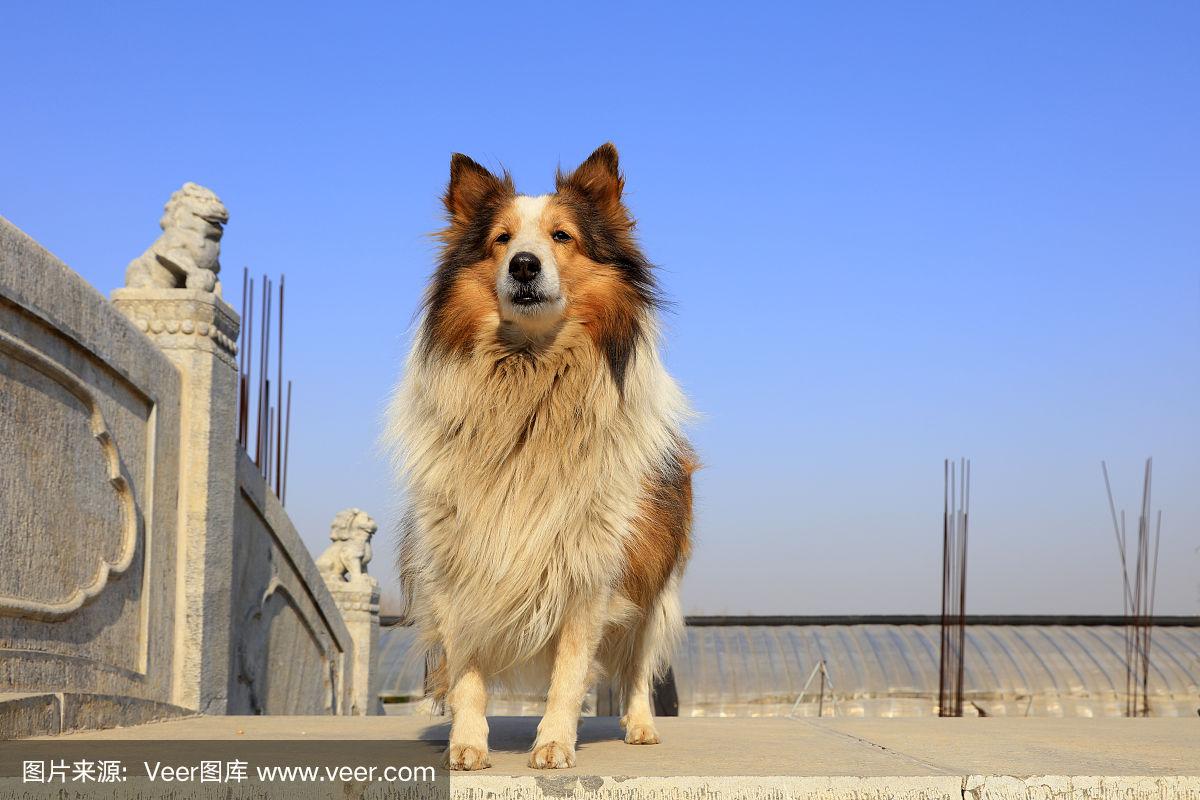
[(272, 428)]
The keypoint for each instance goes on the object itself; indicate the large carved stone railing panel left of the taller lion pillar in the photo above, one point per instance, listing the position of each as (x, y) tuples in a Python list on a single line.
[(89, 460)]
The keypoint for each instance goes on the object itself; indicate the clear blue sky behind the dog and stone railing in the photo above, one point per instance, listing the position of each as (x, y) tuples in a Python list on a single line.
[(892, 233)]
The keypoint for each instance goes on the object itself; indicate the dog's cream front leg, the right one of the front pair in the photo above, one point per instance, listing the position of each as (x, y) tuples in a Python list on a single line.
[(574, 654)]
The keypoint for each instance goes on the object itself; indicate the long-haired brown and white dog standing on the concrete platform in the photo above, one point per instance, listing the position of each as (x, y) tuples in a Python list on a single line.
[(539, 441)]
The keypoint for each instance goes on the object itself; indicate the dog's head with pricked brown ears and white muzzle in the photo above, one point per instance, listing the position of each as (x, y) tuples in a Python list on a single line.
[(530, 263)]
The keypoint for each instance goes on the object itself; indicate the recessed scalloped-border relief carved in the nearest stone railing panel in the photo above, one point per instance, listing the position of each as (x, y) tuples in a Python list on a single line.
[(81, 486)]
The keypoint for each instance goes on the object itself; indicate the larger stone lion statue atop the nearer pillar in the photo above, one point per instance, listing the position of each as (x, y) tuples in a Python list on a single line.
[(185, 256)]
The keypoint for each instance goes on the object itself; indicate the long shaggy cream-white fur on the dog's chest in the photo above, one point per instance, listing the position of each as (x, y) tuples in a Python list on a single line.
[(523, 477)]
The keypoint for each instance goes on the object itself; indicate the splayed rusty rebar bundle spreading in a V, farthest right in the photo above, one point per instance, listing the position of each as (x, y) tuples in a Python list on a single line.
[(1139, 593)]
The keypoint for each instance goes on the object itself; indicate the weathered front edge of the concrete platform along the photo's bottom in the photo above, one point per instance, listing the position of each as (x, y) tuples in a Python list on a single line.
[(951, 787)]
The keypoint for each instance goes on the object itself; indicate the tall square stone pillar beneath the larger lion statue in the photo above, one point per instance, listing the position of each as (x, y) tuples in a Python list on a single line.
[(199, 332)]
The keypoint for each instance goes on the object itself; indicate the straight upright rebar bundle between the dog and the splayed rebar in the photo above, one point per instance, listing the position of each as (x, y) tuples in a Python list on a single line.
[(956, 515)]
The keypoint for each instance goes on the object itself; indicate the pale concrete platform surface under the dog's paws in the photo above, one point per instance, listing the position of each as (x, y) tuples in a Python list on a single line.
[(779, 757)]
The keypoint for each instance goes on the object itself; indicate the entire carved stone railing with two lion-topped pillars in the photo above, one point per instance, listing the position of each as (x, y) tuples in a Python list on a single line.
[(148, 569)]
